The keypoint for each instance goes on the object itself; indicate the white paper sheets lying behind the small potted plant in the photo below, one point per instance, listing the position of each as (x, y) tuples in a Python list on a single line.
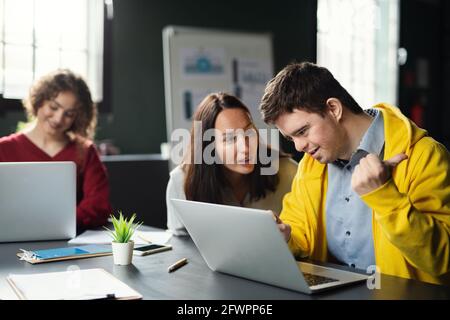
[(102, 237)]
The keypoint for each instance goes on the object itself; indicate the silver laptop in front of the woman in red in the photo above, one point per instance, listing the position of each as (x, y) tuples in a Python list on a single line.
[(37, 201)]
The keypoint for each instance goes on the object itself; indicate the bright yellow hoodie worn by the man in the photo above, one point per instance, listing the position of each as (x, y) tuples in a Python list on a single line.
[(410, 212)]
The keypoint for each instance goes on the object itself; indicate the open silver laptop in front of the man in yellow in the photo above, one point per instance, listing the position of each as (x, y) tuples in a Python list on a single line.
[(247, 243)]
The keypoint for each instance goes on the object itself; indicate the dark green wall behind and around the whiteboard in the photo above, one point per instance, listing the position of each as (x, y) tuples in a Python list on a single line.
[(137, 121)]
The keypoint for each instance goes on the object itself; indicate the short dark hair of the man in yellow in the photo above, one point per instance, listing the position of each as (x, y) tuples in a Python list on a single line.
[(304, 86)]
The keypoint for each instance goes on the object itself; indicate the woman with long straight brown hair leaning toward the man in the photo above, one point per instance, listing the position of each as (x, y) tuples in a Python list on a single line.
[(233, 174)]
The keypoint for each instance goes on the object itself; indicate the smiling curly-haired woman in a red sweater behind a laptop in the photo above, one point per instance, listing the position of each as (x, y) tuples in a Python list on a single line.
[(61, 128)]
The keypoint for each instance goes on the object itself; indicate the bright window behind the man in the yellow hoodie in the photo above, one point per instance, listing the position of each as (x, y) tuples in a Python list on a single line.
[(357, 40)]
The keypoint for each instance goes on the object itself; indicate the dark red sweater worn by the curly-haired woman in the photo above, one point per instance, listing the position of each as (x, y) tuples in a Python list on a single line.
[(93, 207)]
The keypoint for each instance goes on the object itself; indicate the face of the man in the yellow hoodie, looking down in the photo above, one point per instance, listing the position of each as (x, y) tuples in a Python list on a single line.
[(320, 136)]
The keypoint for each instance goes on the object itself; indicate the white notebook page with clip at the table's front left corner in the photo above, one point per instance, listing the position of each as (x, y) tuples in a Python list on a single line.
[(88, 284)]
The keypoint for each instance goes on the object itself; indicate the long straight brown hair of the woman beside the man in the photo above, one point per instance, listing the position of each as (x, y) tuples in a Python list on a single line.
[(206, 182)]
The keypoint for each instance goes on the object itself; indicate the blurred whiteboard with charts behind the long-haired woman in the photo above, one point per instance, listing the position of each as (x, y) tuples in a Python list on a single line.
[(201, 61)]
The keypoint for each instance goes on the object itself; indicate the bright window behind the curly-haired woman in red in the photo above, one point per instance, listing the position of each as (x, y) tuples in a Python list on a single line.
[(38, 36)]
